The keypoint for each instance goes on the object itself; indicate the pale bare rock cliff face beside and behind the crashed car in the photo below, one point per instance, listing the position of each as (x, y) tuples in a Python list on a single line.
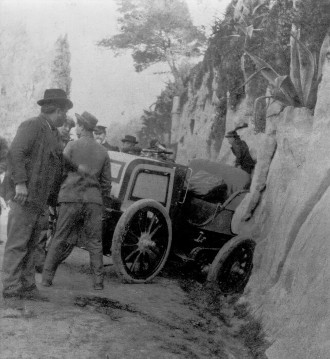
[(287, 213)]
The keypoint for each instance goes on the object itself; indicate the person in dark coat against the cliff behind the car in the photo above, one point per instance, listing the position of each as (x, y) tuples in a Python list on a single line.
[(241, 152)]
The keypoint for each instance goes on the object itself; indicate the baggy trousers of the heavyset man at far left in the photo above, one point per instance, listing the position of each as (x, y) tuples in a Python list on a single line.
[(17, 270)]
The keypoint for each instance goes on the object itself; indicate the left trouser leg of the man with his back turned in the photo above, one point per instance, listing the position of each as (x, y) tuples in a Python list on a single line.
[(61, 244)]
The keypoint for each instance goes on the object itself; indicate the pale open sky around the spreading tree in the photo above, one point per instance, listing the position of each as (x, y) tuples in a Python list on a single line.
[(102, 84)]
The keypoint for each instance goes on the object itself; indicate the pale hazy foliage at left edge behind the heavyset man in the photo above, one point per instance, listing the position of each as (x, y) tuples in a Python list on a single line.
[(24, 77)]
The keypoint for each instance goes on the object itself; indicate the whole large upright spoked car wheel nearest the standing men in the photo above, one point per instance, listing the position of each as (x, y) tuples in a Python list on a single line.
[(141, 241)]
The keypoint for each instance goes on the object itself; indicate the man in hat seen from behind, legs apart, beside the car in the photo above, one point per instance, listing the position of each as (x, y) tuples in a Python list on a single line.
[(80, 202)]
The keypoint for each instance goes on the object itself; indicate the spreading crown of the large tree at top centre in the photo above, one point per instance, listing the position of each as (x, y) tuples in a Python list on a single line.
[(156, 31)]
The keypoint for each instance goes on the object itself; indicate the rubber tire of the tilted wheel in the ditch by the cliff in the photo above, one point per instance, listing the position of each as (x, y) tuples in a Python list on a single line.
[(222, 256)]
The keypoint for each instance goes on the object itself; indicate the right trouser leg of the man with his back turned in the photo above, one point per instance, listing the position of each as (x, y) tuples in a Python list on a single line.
[(93, 233)]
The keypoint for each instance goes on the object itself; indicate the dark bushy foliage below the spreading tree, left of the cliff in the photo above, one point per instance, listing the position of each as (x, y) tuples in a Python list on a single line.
[(156, 122)]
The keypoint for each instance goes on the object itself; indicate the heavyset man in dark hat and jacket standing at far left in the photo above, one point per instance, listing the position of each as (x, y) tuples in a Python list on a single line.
[(33, 171)]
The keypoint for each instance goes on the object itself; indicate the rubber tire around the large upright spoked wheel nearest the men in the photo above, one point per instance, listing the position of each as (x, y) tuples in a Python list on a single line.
[(117, 236)]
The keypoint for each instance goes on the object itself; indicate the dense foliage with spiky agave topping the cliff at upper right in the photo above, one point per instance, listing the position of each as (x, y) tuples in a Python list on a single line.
[(264, 28)]
